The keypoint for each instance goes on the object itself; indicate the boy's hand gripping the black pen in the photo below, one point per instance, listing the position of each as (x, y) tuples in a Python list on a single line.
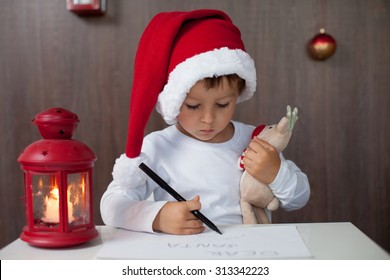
[(176, 218)]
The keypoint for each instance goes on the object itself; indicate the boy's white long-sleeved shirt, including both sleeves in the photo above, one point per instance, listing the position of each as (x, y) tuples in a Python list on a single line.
[(191, 167)]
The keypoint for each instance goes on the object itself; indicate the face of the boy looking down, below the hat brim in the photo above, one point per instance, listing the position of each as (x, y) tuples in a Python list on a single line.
[(206, 113)]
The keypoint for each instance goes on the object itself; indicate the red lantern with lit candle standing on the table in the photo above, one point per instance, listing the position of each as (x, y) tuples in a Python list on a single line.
[(58, 184)]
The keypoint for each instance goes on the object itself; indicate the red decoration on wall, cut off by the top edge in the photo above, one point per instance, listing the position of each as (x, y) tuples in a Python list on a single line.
[(87, 7)]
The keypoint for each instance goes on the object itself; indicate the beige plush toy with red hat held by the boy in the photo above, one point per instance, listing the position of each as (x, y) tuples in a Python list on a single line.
[(255, 195)]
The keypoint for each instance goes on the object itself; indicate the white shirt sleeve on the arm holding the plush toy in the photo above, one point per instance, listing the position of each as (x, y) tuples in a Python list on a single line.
[(291, 186)]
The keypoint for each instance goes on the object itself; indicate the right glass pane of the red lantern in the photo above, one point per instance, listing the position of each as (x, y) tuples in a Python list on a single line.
[(78, 199)]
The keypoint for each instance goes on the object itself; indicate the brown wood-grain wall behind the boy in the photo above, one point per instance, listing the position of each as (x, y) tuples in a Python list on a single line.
[(50, 57)]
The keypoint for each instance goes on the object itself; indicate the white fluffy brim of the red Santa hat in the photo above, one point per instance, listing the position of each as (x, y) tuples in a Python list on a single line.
[(217, 62)]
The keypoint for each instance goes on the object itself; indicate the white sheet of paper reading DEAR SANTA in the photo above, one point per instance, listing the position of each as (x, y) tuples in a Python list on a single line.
[(236, 242)]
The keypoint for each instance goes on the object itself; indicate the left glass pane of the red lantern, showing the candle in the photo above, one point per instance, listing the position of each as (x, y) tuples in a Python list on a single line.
[(45, 200)]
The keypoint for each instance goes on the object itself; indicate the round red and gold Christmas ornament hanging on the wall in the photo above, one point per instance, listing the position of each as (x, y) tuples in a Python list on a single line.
[(322, 46)]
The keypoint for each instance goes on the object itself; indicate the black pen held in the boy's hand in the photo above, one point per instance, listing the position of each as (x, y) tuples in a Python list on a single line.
[(177, 196)]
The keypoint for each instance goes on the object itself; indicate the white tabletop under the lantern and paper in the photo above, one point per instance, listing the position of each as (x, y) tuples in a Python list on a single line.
[(326, 241)]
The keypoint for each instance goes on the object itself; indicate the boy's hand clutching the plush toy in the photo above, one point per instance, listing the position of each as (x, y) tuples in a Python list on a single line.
[(262, 161)]
